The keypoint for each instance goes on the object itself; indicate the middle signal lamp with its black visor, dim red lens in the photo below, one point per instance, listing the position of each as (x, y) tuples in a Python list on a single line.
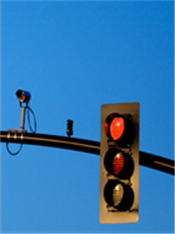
[(119, 163)]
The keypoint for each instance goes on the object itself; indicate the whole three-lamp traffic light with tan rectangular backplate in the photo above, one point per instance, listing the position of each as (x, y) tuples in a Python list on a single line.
[(119, 163)]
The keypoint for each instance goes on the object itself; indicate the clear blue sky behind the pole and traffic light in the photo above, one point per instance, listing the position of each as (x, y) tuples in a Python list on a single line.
[(74, 56)]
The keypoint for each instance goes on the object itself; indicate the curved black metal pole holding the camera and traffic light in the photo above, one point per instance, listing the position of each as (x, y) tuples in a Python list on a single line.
[(93, 147)]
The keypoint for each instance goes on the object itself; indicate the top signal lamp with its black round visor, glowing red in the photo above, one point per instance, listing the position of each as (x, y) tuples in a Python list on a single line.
[(120, 128)]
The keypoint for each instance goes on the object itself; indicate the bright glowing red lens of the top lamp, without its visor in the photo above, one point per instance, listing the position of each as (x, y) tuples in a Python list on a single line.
[(117, 127)]
